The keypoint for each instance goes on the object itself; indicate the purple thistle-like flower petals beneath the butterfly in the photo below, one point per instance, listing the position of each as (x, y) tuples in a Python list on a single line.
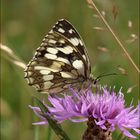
[(105, 107)]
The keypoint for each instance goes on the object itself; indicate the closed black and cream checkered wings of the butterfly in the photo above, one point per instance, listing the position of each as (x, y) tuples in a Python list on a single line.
[(61, 60)]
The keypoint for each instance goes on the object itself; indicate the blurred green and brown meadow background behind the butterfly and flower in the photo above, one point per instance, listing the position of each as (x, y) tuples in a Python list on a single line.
[(24, 25)]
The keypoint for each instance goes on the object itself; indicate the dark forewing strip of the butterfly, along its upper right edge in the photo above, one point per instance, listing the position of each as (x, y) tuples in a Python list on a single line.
[(65, 29)]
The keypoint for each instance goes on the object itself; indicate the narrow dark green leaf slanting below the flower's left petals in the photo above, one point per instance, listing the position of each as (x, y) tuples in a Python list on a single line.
[(54, 125)]
